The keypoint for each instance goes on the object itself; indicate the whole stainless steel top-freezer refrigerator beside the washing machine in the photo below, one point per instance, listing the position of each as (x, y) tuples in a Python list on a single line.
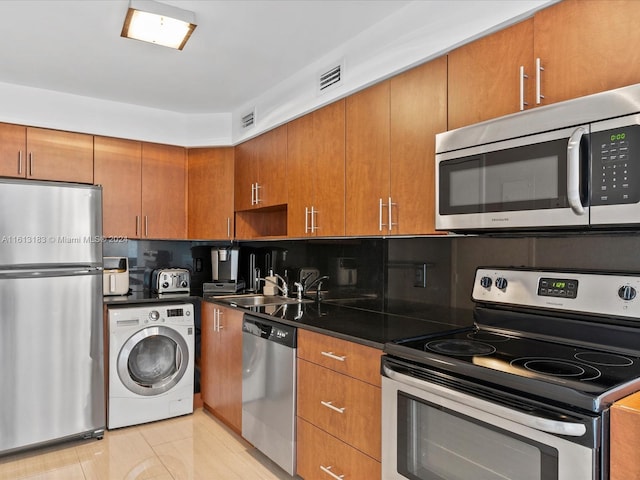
[(51, 331)]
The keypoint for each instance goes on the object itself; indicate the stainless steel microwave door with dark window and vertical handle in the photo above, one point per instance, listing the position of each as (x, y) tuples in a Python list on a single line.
[(529, 182)]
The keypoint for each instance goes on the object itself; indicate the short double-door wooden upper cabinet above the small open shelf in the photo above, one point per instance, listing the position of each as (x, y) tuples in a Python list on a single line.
[(261, 171)]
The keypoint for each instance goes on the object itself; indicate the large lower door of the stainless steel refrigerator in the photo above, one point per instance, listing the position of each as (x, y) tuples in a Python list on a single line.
[(51, 358)]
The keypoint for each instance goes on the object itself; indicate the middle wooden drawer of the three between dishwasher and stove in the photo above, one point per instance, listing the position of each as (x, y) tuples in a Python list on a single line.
[(341, 405)]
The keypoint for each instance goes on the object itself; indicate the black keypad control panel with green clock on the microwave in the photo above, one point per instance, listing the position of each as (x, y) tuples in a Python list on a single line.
[(615, 176)]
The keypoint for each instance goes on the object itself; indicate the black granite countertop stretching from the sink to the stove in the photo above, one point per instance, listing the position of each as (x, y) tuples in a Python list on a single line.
[(355, 322)]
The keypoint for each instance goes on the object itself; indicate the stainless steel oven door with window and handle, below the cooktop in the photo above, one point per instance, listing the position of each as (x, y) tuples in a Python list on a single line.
[(434, 432)]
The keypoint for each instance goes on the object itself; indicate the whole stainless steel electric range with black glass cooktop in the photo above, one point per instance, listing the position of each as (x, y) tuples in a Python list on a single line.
[(523, 394)]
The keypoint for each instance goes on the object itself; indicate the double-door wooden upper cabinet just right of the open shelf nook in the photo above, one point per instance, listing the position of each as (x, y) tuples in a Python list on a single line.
[(315, 173)]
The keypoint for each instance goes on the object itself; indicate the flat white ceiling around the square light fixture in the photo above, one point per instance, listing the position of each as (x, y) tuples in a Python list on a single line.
[(239, 49)]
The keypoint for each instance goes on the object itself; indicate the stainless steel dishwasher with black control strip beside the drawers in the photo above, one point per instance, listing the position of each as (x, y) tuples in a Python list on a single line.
[(269, 389)]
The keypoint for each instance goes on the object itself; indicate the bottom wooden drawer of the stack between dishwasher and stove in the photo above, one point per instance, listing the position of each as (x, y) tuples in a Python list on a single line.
[(318, 450)]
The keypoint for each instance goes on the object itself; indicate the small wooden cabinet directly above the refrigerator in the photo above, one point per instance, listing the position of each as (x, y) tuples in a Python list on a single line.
[(43, 154)]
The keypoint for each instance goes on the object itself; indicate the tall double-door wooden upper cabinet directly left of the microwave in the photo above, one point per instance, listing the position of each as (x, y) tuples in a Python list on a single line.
[(390, 157)]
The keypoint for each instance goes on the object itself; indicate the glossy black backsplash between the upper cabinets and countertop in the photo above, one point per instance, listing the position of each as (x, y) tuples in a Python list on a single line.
[(392, 270)]
